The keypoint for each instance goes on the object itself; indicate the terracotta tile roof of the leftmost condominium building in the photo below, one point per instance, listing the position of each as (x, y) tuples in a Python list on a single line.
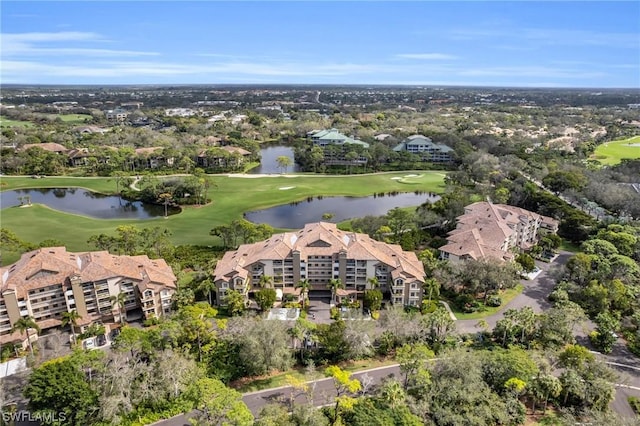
[(54, 265)]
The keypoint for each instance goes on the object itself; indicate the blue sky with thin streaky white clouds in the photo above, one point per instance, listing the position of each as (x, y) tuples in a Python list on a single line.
[(530, 44)]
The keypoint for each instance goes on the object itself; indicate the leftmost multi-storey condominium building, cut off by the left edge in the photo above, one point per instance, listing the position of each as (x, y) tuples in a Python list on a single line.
[(46, 282)]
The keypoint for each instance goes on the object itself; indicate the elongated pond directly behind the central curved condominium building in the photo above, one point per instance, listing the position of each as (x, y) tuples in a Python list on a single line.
[(296, 215)]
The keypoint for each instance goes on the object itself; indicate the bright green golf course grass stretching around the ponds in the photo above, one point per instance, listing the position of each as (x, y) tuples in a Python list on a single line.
[(231, 197)]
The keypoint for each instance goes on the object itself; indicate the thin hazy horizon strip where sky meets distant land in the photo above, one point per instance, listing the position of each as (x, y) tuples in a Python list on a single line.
[(364, 85)]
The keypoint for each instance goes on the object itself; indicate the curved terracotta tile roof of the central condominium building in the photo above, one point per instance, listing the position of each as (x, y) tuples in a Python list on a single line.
[(318, 239)]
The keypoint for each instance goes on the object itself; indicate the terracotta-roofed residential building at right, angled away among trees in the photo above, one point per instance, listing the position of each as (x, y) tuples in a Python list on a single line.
[(494, 231)]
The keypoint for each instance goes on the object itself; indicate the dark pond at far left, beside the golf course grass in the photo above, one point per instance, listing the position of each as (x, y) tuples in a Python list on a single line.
[(86, 203)]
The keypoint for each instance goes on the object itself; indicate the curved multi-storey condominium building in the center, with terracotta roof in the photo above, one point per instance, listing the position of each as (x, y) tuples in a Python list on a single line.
[(319, 253)]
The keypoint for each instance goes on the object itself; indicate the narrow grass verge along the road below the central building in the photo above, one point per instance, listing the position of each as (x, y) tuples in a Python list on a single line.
[(279, 379)]
